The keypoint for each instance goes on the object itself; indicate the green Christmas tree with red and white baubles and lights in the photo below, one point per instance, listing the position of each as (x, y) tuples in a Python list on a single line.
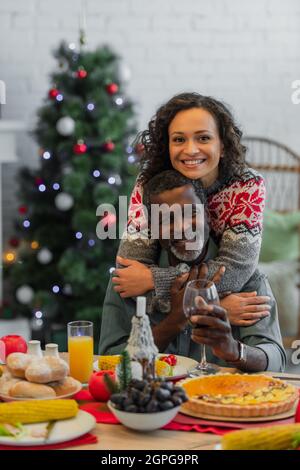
[(56, 269)]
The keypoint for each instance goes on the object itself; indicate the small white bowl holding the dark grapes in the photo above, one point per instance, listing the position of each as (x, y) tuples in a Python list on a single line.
[(144, 421)]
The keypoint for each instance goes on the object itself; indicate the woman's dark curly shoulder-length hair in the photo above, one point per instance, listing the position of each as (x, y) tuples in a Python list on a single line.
[(155, 140)]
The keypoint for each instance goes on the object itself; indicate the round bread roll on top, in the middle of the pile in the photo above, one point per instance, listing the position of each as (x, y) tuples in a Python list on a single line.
[(47, 369)]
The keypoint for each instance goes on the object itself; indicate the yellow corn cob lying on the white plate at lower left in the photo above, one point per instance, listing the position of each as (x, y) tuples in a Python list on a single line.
[(36, 411)]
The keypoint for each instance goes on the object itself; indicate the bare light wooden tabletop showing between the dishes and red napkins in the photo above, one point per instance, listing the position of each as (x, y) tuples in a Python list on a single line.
[(118, 437)]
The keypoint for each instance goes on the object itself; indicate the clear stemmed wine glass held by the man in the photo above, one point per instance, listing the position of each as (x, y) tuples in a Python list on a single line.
[(208, 292)]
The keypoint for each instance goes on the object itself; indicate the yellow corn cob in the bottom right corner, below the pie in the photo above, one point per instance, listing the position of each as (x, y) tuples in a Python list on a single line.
[(267, 438)]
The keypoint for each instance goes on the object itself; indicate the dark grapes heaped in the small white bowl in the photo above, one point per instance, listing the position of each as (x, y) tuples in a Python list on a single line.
[(143, 396)]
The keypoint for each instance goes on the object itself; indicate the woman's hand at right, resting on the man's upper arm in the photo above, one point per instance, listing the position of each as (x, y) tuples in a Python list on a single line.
[(245, 308)]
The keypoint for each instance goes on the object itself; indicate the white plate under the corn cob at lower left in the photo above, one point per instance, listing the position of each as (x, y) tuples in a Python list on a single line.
[(63, 430)]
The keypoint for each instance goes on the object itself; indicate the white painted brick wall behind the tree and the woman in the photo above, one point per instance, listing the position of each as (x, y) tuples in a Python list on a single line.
[(245, 52)]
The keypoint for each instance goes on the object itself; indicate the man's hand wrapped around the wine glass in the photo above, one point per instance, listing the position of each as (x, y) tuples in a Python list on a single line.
[(212, 328)]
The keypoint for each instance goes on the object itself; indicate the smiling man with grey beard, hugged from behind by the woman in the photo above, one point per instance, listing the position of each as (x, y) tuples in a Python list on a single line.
[(184, 237)]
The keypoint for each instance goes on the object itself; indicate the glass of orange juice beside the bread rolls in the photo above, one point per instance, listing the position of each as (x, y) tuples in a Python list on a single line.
[(81, 350)]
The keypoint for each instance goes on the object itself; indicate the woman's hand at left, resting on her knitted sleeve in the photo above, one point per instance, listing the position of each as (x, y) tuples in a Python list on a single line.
[(132, 280)]
